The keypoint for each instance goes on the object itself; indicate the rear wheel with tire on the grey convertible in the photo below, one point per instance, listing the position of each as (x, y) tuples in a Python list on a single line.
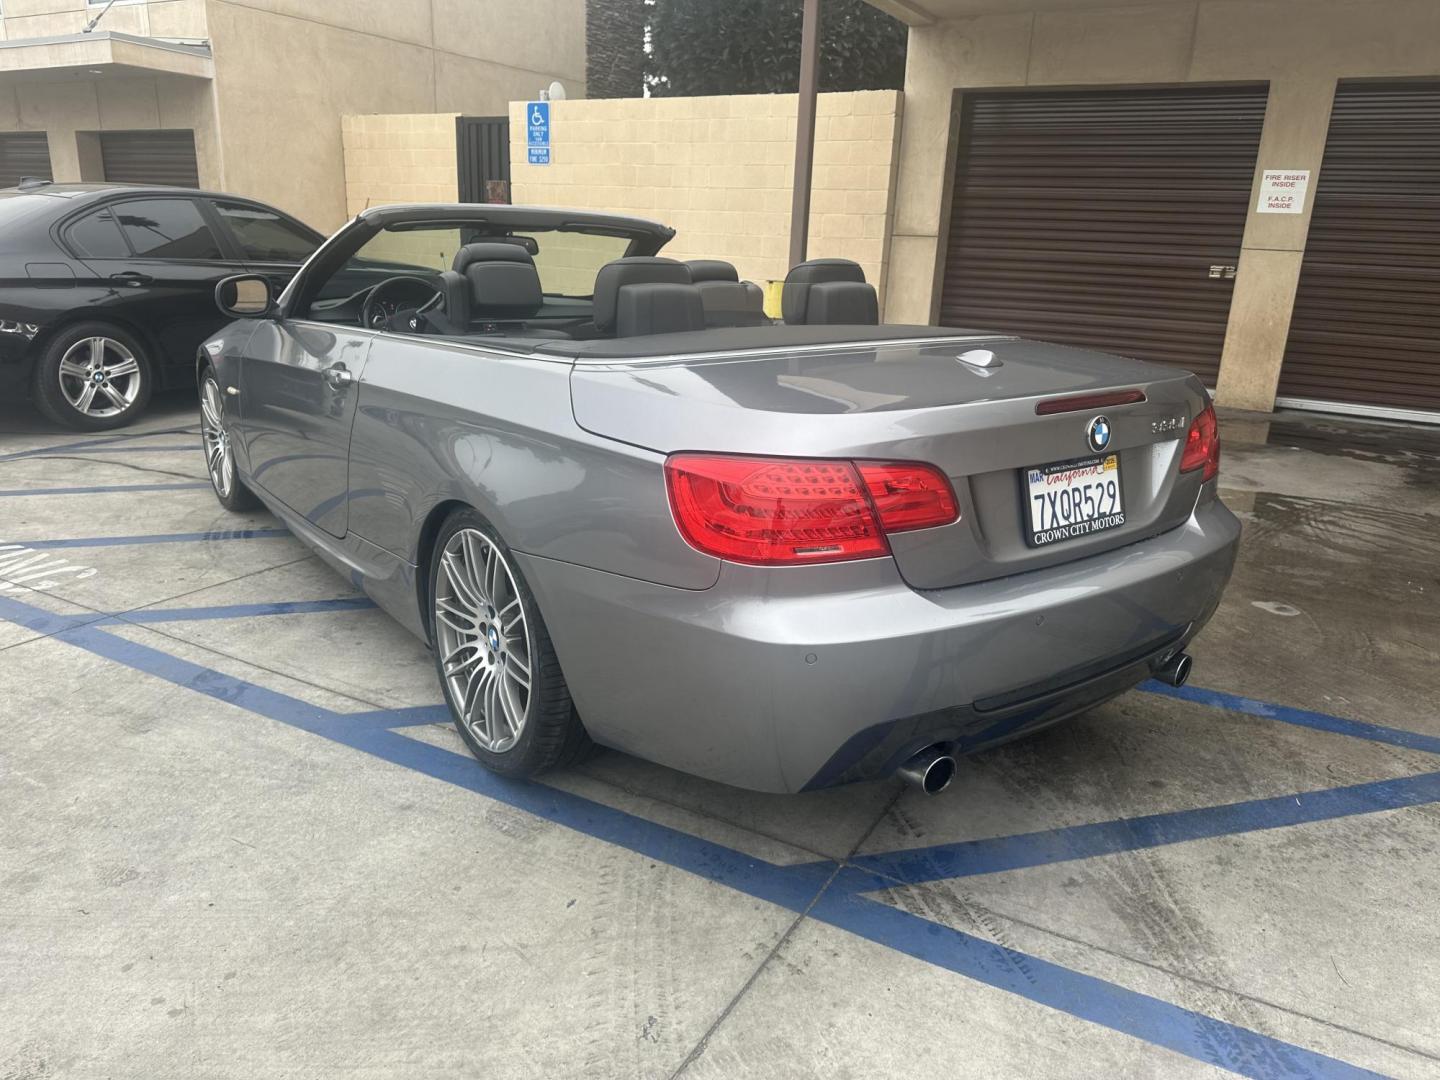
[(493, 653)]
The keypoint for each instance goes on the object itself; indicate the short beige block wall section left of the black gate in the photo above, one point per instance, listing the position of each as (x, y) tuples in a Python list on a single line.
[(400, 159)]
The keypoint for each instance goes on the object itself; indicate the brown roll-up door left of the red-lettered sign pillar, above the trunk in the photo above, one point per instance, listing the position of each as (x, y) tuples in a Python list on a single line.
[(1095, 218)]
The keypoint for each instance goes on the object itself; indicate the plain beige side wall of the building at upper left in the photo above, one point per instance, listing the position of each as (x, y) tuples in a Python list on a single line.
[(287, 71)]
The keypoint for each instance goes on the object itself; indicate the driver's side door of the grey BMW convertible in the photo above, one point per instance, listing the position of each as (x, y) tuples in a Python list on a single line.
[(299, 391)]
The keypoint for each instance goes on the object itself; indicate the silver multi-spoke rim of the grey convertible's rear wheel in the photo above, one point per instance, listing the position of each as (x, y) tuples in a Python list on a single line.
[(483, 640)]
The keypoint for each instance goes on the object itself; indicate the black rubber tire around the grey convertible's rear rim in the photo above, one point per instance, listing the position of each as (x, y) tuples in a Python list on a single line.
[(551, 724)]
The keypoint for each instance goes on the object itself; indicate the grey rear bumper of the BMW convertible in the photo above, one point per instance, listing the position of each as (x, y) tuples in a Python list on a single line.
[(794, 679)]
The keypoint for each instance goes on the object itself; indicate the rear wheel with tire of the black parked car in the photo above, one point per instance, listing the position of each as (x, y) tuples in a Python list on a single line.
[(93, 377)]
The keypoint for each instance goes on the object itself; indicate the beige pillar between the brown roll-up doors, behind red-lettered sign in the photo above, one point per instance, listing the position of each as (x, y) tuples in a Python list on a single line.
[(1294, 138)]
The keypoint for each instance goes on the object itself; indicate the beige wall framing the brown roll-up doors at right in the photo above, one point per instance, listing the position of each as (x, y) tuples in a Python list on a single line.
[(1300, 47)]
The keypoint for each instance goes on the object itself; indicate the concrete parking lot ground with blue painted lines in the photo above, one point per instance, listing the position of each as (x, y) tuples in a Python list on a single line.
[(240, 840)]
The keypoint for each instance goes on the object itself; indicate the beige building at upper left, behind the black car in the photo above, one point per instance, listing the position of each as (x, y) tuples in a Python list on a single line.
[(248, 96)]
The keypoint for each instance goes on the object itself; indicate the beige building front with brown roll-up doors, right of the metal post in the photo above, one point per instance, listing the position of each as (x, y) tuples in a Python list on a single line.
[(1249, 188)]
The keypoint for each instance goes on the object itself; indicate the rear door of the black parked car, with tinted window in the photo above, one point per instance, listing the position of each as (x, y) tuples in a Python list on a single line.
[(166, 282)]
